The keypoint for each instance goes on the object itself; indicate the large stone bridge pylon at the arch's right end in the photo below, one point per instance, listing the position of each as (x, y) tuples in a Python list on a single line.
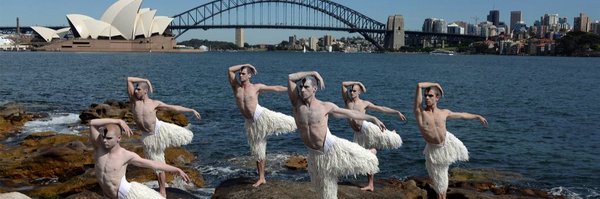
[(394, 35)]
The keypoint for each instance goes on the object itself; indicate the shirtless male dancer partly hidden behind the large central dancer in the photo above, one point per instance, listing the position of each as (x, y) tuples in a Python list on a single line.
[(366, 134)]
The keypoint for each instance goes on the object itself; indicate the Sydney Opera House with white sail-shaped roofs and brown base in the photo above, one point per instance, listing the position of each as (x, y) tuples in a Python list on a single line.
[(124, 26)]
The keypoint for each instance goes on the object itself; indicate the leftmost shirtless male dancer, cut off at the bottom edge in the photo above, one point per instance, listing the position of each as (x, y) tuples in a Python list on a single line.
[(111, 161)]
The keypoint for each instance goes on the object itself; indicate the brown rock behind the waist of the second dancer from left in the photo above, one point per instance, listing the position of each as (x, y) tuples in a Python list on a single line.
[(121, 110)]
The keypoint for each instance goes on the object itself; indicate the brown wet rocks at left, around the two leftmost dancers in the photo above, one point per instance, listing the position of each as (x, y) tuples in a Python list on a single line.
[(53, 165)]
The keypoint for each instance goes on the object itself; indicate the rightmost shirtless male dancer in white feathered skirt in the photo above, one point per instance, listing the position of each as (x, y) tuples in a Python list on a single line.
[(442, 147)]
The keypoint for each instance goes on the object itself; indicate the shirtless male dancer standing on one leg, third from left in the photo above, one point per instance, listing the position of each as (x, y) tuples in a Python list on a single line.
[(259, 121)]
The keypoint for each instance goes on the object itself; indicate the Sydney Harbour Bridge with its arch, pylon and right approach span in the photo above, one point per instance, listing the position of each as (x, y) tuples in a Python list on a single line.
[(298, 14)]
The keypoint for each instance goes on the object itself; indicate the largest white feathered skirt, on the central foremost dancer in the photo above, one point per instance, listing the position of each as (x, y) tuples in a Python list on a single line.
[(338, 157)]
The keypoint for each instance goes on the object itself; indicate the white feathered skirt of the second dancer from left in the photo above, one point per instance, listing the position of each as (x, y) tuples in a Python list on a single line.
[(165, 135)]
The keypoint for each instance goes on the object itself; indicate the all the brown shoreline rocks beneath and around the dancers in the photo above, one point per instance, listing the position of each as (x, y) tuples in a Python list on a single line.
[(53, 165)]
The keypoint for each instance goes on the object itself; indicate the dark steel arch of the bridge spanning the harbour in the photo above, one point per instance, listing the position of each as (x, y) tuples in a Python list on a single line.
[(341, 17)]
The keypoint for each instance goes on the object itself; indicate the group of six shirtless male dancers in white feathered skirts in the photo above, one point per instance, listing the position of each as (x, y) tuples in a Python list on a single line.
[(329, 157)]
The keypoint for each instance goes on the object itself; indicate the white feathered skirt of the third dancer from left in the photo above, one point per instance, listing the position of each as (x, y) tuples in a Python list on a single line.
[(266, 122)]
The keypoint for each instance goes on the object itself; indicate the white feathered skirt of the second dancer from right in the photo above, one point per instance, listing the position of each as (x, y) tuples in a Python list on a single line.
[(370, 136)]
